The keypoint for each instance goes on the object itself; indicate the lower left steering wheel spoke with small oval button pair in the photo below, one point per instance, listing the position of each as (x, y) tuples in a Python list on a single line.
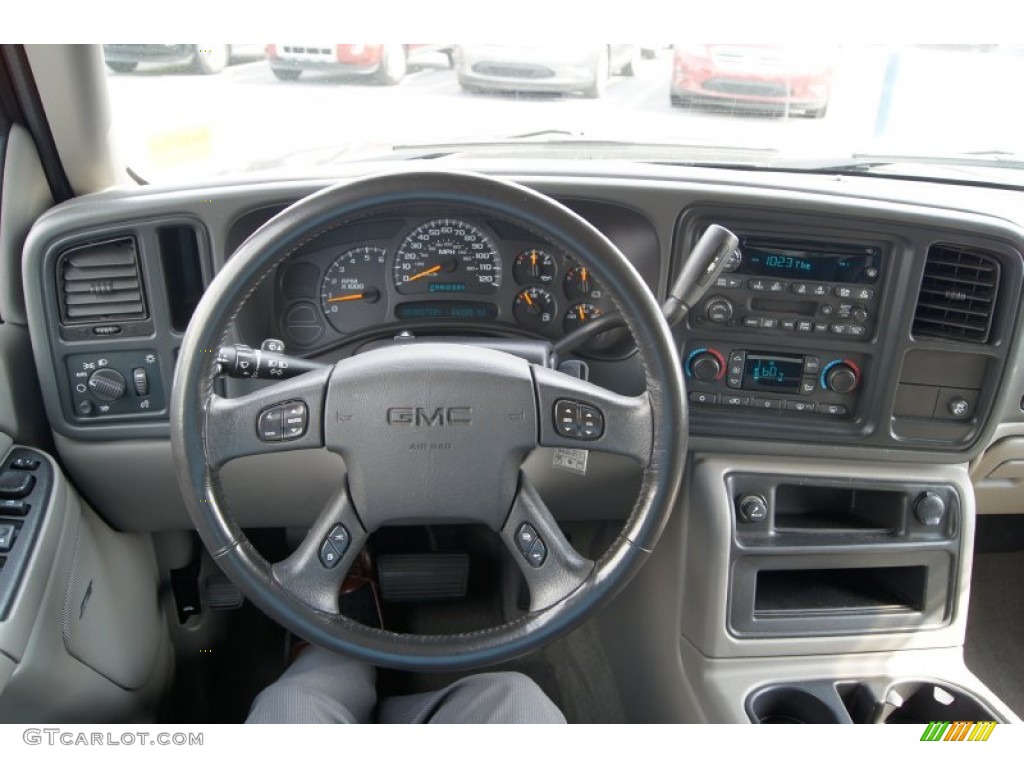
[(315, 573)]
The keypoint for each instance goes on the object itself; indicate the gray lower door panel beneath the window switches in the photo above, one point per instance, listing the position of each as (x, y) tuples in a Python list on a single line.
[(53, 625)]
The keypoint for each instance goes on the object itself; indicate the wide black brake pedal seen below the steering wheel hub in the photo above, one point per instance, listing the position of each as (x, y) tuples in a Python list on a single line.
[(408, 579)]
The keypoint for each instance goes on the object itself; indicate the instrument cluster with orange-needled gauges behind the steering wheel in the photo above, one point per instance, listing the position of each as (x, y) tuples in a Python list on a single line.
[(439, 274)]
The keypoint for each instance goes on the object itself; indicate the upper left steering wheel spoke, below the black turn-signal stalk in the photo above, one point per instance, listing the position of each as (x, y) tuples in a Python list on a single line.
[(286, 416)]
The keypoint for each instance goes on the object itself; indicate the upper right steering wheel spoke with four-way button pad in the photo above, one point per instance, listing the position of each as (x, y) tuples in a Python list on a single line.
[(580, 415)]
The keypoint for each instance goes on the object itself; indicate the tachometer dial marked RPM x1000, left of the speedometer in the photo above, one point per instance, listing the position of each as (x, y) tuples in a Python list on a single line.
[(352, 288)]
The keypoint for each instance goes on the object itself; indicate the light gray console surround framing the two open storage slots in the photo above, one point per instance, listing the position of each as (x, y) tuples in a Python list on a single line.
[(710, 561)]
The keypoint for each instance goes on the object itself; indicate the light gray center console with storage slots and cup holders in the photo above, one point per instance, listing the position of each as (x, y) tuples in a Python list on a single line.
[(842, 596)]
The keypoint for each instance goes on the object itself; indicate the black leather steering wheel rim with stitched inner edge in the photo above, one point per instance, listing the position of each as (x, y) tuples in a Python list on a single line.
[(304, 224)]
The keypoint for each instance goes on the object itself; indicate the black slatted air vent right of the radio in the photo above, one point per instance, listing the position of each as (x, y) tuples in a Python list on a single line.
[(958, 294)]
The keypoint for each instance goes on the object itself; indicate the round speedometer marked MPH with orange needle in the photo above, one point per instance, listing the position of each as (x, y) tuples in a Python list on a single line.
[(448, 257)]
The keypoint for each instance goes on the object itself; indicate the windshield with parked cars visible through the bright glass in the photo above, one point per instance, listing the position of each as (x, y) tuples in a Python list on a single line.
[(188, 111)]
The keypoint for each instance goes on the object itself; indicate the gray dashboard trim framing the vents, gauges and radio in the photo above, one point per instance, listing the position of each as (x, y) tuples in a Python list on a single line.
[(662, 194)]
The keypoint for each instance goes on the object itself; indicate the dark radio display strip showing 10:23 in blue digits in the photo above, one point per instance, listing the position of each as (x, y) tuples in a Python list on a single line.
[(856, 266)]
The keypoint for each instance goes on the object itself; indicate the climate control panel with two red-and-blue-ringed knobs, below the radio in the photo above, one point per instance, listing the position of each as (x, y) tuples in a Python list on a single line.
[(806, 382)]
